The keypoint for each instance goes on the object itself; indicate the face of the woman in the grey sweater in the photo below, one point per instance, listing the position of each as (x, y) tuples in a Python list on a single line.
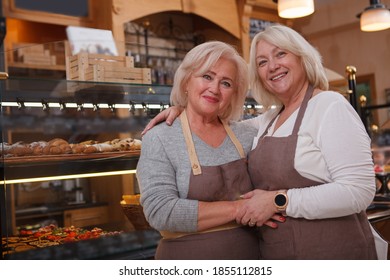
[(210, 93)]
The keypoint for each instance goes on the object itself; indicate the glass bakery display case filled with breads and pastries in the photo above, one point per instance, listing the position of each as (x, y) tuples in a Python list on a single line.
[(69, 151)]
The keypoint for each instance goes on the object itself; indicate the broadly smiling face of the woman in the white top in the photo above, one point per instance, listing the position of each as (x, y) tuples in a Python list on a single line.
[(281, 72)]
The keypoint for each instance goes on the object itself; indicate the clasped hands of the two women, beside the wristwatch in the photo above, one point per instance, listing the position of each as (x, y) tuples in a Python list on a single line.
[(256, 208)]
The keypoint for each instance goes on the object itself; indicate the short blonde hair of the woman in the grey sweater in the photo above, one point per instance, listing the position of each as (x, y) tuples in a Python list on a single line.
[(199, 60)]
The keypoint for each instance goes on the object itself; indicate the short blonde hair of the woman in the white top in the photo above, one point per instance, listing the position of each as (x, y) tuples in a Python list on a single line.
[(289, 40)]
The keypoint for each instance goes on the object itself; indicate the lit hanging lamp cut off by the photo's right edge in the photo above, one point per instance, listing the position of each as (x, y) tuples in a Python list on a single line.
[(375, 17)]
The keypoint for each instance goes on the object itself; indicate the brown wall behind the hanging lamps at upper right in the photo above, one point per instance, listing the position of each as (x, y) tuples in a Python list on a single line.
[(335, 30)]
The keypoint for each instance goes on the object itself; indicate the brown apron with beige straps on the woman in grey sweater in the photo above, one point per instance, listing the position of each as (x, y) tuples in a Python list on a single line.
[(213, 183)]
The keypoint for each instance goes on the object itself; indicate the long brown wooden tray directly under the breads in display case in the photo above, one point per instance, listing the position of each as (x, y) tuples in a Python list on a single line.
[(65, 157)]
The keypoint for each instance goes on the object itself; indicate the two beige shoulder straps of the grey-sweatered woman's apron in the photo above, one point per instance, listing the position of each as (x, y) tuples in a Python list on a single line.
[(196, 169)]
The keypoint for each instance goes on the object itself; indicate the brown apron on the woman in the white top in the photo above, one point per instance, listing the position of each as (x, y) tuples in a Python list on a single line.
[(271, 167)]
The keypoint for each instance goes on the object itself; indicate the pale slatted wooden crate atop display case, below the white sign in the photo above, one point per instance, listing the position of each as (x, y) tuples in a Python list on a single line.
[(104, 68)]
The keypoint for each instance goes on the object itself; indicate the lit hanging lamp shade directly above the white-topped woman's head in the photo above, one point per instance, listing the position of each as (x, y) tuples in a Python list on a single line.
[(295, 8)]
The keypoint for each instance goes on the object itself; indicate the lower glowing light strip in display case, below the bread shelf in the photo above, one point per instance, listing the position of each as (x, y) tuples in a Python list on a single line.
[(66, 177)]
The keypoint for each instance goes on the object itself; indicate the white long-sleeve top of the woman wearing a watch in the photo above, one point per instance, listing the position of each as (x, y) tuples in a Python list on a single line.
[(333, 148)]
